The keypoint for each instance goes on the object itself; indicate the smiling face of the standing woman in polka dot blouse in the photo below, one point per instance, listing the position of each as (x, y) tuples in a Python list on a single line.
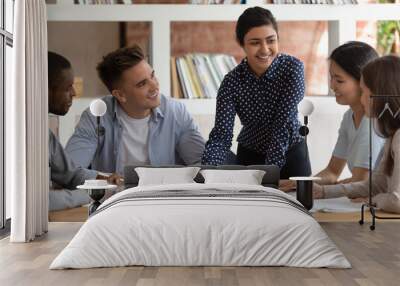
[(261, 47)]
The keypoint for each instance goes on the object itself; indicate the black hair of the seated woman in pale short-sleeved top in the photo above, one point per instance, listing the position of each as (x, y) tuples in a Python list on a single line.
[(353, 56)]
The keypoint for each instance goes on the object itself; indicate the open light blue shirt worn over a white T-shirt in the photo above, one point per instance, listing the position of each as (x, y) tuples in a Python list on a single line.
[(174, 138)]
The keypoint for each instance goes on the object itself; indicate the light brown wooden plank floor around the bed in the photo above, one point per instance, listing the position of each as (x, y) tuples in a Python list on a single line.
[(375, 257)]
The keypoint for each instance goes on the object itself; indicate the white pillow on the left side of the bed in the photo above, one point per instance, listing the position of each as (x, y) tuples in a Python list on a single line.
[(165, 176)]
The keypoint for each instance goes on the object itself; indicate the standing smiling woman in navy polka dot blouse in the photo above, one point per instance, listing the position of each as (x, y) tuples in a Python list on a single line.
[(264, 90)]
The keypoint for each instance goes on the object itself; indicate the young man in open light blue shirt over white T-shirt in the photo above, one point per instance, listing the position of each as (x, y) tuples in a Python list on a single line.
[(141, 125)]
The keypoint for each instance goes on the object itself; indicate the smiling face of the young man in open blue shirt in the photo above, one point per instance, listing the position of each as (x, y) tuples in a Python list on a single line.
[(138, 90)]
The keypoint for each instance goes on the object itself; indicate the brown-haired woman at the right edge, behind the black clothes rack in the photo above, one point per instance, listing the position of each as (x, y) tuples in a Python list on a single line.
[(380, 78)]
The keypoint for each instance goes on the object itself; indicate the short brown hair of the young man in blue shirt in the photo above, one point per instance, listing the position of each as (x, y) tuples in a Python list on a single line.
[(112, 66)]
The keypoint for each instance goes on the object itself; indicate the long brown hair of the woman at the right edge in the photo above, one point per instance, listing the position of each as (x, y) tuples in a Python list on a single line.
[(382, 77)]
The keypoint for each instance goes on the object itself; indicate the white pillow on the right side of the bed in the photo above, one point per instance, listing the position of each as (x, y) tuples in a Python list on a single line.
[(248, 177)]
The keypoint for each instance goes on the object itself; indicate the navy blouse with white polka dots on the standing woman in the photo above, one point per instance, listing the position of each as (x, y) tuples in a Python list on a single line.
[(267, 109)]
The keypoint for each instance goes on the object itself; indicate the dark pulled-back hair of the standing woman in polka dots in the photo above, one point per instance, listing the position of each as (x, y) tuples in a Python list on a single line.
[(251, 18)]
